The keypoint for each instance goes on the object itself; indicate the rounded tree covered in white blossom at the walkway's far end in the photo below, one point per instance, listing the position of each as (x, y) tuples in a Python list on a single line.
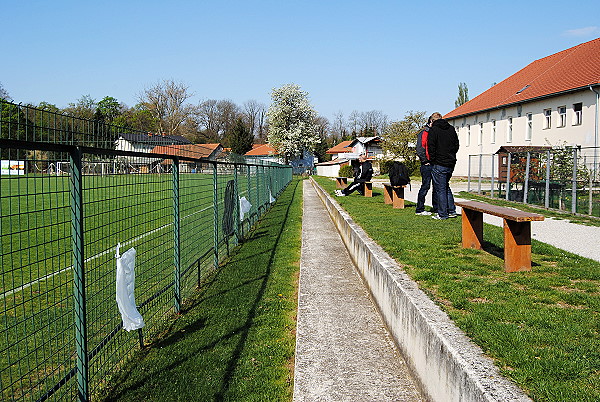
[(292, 122)]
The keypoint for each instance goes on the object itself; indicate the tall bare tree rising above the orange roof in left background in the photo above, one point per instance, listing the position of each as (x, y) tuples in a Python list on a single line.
[(166, 102)]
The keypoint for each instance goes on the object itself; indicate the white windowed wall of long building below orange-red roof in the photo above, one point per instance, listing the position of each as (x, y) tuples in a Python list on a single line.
[(472, 144)]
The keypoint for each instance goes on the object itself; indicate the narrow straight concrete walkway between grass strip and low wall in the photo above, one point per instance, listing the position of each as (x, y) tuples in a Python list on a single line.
[(343, 350)]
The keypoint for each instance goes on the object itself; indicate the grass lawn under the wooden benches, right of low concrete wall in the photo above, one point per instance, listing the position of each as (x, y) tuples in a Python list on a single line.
[(542, 327)]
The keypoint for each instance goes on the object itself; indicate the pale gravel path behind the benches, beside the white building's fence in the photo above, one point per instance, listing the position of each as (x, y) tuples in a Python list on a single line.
[(575, 238)]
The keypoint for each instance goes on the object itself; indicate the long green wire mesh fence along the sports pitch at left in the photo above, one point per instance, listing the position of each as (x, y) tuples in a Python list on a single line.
[(67, 199)]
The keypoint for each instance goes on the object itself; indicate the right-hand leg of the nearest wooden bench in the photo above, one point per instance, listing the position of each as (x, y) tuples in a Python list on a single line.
[(517, 246)]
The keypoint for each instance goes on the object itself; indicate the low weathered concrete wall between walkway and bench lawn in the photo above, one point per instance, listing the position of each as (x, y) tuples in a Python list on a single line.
[(446, 363)]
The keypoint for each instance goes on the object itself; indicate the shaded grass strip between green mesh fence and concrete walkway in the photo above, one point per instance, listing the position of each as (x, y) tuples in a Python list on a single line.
[(235, 338)]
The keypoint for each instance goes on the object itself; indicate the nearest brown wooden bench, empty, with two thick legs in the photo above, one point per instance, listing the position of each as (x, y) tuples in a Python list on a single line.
[(517, 232)]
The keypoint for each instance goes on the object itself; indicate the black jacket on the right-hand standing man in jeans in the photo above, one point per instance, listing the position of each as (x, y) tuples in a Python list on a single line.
[(442, 142)]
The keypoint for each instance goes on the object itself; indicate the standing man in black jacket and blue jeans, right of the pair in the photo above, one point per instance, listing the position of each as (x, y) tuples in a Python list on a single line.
[(442, 143)]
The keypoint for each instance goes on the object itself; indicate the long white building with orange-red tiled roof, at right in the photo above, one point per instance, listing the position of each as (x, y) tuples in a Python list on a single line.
[(552, 101)]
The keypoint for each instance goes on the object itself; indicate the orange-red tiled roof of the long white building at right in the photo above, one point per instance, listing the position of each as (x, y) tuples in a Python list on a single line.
[(575, 68)]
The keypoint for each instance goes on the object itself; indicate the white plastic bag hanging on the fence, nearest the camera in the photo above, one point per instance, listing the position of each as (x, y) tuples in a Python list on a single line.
[(132, 319)]
